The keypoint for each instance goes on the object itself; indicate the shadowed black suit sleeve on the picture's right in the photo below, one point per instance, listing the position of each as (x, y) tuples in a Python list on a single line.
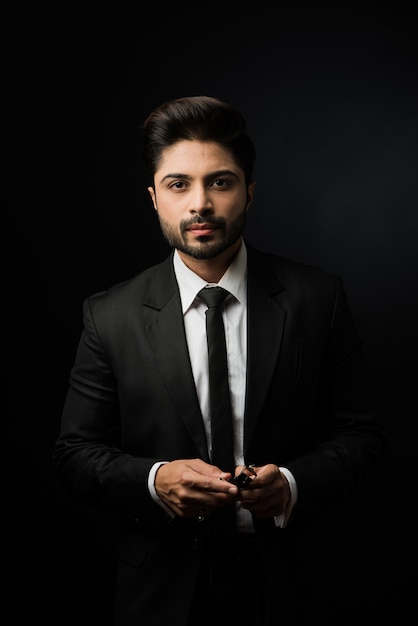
[(351, 442)]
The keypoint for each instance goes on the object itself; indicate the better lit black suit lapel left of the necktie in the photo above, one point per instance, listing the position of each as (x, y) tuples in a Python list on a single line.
[(165, 330)]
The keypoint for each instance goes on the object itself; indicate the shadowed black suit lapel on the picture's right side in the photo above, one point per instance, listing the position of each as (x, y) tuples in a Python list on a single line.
[(266, 321)]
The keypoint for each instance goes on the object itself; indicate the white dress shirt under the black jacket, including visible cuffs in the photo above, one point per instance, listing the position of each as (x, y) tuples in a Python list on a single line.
[(235, 321)]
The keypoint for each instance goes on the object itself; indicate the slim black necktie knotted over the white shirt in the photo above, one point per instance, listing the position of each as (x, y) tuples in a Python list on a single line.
[(220, 402)]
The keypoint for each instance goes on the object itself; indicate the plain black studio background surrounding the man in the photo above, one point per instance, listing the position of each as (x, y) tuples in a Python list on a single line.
[(331, 102)]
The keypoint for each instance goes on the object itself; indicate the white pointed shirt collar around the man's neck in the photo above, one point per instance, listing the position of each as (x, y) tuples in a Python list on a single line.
[(234, 279)]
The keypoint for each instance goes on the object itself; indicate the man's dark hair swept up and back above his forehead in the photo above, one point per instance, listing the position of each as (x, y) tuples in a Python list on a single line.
[(202, 118)]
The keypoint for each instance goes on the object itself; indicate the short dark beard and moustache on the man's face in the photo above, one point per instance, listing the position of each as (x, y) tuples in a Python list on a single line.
[(207, 249)]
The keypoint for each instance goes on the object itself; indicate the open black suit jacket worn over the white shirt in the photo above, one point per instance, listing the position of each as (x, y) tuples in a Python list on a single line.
[(132, 402)]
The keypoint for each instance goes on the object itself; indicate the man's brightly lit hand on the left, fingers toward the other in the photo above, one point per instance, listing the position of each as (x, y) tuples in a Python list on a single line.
[(191, 486)]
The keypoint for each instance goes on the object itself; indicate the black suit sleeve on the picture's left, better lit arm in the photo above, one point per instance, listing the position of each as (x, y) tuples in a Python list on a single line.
[(87, 455)]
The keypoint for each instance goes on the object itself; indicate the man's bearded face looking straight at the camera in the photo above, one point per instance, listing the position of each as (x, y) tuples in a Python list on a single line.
[(201, 198)]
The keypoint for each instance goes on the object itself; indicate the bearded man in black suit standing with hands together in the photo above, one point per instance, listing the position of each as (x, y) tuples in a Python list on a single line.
[(136, 437)]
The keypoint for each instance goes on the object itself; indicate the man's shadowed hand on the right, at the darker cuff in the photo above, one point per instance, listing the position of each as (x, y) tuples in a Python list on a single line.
[(268, 494)]
